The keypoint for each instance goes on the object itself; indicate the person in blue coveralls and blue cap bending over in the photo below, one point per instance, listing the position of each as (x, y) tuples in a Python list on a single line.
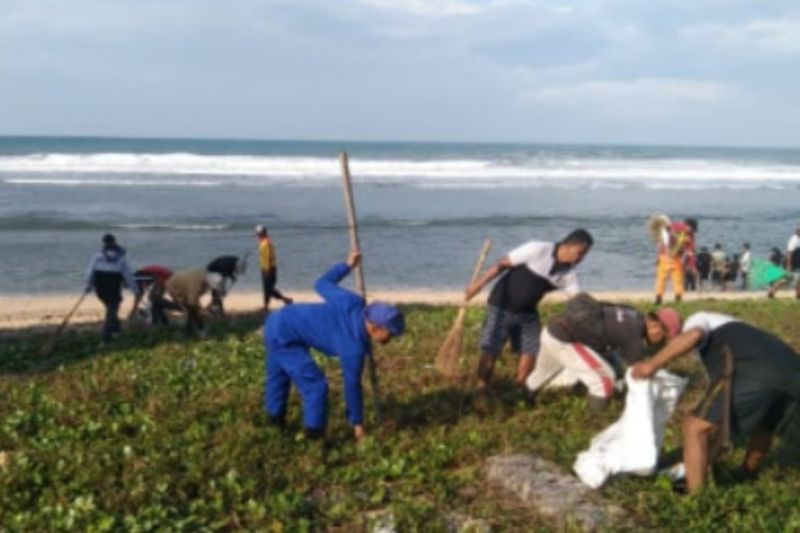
[(343, 326)]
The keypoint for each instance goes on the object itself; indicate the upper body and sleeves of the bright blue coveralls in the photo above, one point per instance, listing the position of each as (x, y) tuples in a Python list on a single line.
[(335, 328)]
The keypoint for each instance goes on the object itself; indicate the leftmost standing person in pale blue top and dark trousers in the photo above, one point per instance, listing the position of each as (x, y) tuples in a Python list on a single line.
[(108, 271)]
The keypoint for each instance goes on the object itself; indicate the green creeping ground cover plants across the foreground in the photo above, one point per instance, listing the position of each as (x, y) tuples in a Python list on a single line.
[(154, 432)]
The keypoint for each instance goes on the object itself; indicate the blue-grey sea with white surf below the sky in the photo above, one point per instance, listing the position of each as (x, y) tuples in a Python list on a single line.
[(424, 209)]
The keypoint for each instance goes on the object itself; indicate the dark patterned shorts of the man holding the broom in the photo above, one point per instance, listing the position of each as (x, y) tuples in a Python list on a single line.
[(522, 330)]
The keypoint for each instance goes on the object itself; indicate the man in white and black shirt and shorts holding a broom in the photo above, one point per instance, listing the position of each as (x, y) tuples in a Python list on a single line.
[(528, 273)]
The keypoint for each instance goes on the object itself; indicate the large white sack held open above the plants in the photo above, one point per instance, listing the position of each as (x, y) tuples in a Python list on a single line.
[(631, 444)]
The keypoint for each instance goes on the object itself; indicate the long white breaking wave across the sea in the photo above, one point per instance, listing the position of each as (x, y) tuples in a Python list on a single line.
[(187, 169)]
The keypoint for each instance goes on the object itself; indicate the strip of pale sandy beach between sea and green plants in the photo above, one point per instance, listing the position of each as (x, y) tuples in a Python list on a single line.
[(18, 311)]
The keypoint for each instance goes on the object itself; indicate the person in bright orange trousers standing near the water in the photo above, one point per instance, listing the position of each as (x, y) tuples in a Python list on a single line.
[(676, 244)]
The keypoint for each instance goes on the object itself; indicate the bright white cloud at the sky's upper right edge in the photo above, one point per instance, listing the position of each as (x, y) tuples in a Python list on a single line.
[(773, 36)]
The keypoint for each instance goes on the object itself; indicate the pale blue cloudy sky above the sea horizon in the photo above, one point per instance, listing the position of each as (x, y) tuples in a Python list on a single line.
[(632, 71)]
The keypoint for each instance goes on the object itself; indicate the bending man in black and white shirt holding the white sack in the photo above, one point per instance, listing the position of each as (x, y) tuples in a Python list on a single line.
[(754, 385)]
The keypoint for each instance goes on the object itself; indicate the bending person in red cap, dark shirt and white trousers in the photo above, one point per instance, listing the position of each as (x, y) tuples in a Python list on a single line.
[(580, 345)]
